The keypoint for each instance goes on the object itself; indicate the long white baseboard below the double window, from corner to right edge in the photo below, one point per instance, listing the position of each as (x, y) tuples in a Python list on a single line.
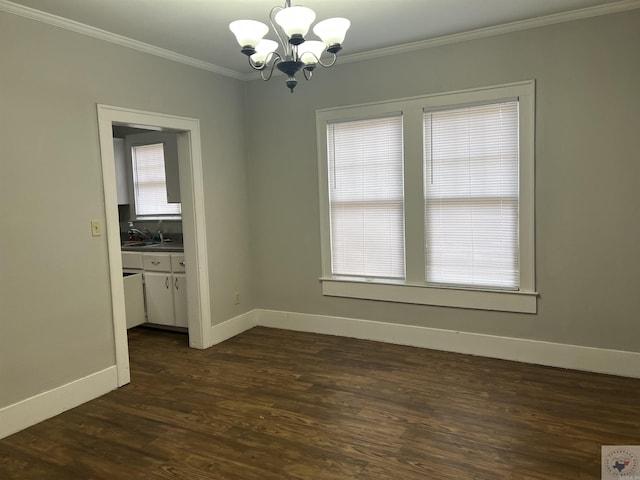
[(575, 357)]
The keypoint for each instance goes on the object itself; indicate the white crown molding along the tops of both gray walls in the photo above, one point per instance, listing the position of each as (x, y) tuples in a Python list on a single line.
[(90, 31)]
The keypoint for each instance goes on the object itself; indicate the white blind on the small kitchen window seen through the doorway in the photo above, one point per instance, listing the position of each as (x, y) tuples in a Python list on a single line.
[(149, 181)]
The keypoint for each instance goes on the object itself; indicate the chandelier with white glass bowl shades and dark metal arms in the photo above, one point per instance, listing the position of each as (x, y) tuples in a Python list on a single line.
[(291, 25)]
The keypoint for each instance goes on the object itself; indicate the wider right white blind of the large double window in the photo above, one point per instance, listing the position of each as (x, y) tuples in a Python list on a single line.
[(471, 196)]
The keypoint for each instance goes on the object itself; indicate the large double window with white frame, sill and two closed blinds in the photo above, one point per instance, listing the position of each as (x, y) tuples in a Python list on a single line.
[(429, 200)]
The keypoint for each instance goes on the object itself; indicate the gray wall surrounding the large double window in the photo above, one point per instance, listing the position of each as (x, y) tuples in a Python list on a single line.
[(587, 178)]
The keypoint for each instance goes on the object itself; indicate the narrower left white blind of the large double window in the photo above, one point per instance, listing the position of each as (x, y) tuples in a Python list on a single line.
[(365, 160)]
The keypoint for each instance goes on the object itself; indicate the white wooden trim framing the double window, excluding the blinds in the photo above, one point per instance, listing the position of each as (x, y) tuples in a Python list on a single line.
[(413, 289)]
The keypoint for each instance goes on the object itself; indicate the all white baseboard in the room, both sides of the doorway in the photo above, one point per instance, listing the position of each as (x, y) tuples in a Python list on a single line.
[(30, 411)]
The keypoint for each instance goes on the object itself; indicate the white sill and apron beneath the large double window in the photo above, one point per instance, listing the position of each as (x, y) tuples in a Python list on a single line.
[(503, 301)]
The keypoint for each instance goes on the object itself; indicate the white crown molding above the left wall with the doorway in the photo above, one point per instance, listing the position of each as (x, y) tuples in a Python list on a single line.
[(90, 31)]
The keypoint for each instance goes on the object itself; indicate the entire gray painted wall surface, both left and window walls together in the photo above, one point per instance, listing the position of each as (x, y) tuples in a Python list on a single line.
[(262, 215)]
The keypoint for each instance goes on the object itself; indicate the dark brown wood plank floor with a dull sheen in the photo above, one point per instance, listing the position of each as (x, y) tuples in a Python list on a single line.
[(274, 404)]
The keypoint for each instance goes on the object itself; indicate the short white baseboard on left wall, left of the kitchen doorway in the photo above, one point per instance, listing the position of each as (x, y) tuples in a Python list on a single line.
[(30, 411)]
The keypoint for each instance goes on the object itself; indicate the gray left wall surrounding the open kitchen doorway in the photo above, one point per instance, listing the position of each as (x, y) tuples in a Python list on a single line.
[(55, 308)]
